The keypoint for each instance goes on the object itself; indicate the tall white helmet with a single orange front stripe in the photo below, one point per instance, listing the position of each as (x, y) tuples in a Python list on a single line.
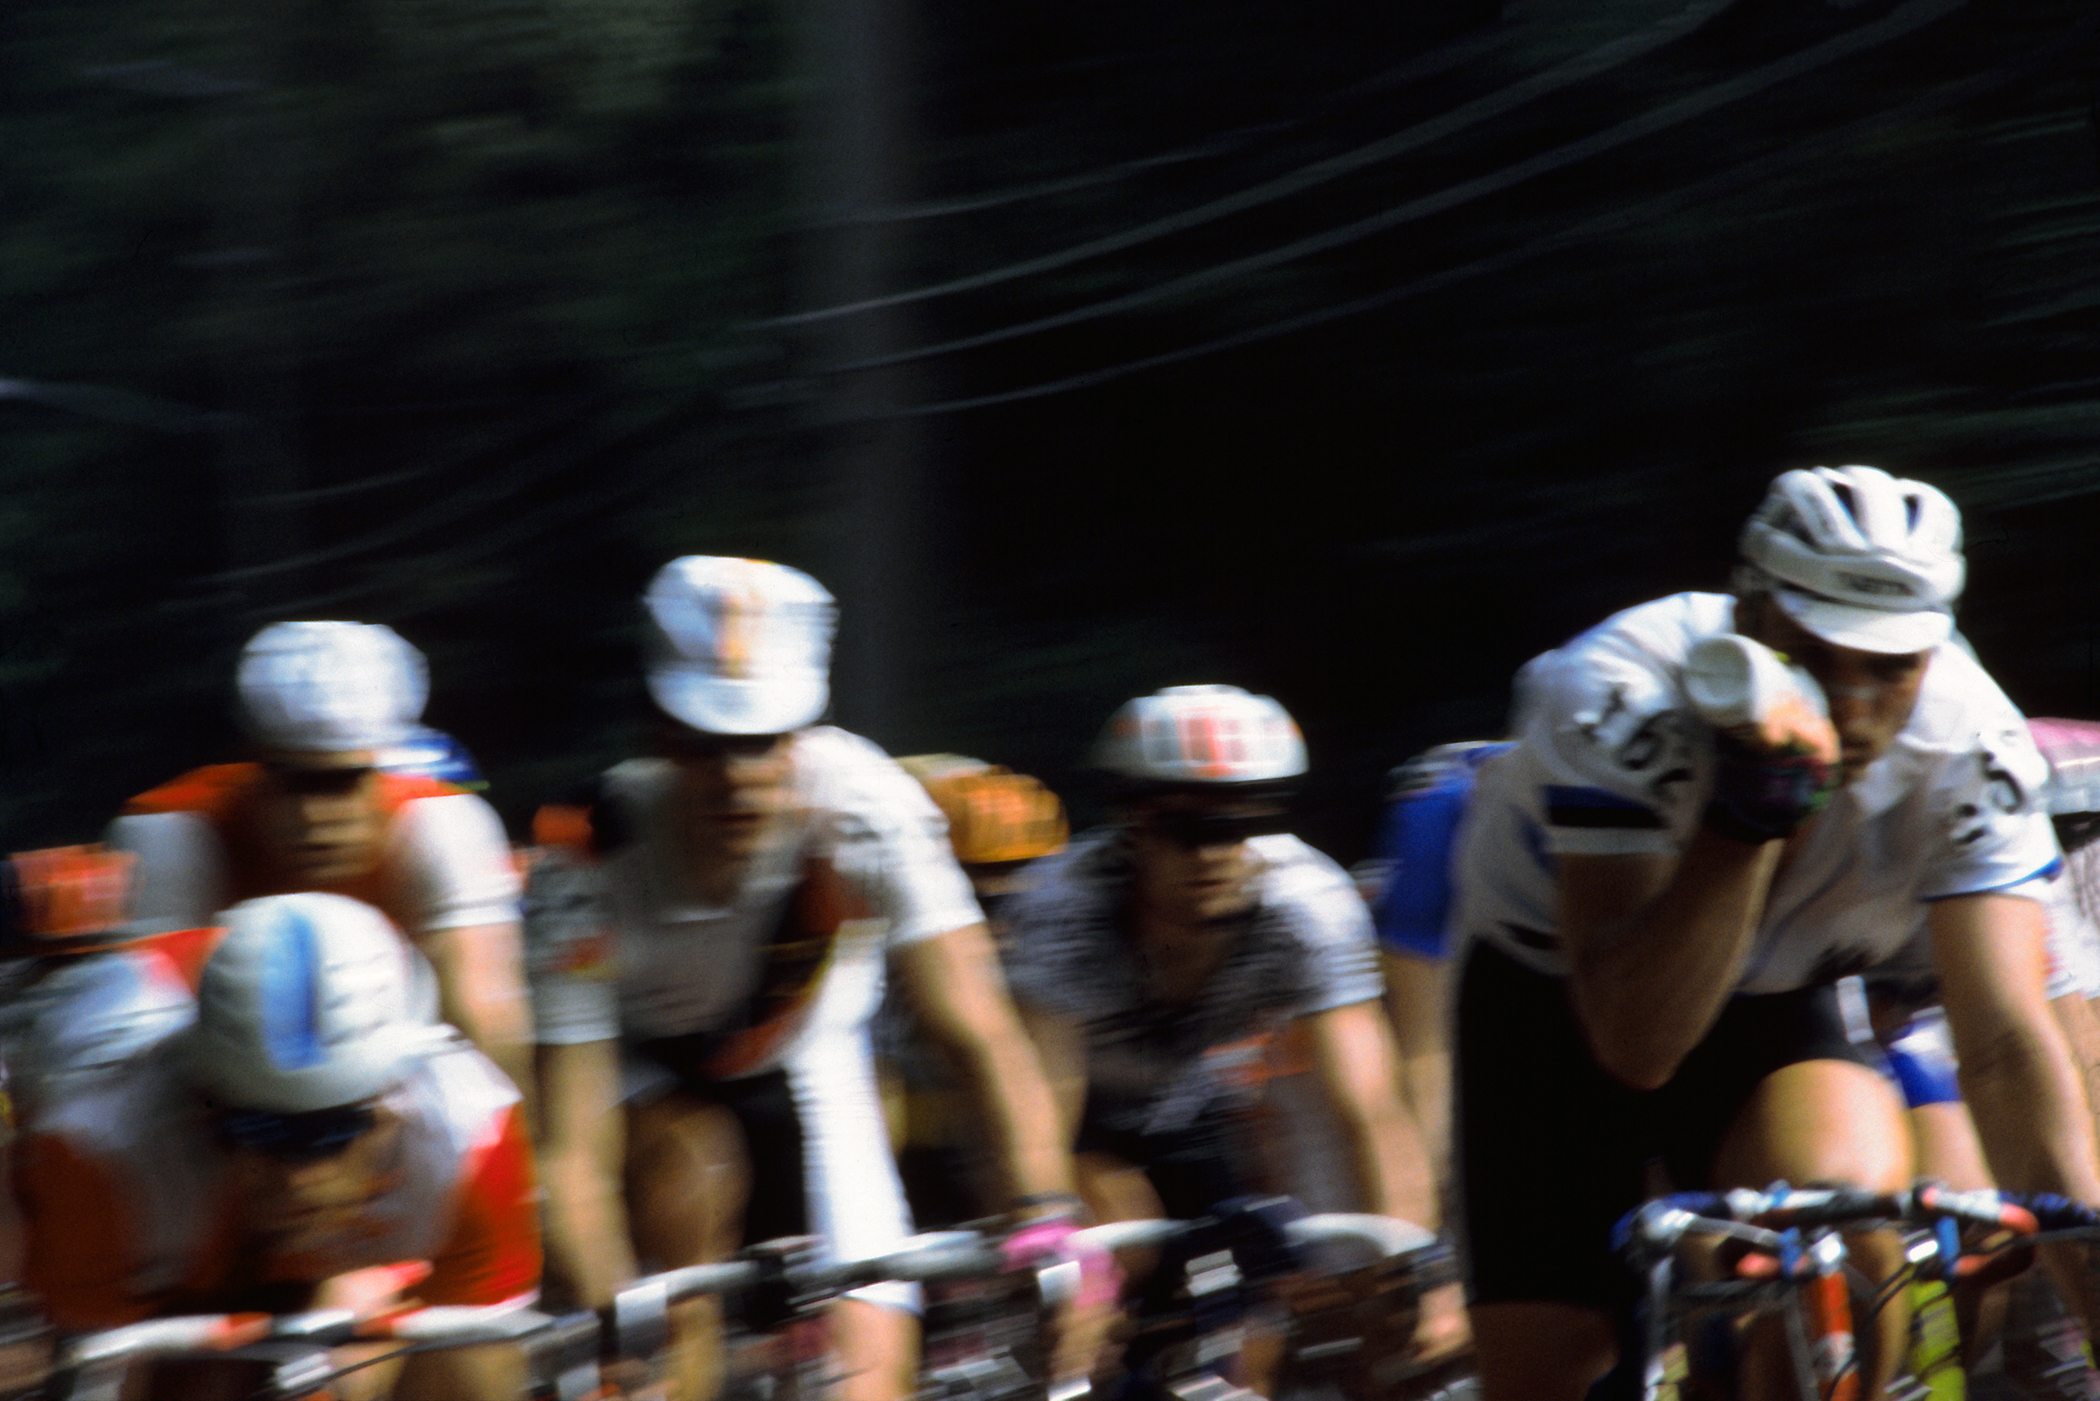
[(738, 646)]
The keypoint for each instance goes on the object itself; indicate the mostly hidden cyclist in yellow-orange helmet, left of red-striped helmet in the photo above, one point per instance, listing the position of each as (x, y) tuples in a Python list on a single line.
[(999, 822)]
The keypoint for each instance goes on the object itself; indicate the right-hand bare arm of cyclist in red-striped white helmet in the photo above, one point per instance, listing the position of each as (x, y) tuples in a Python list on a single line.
[(1360, 1070)]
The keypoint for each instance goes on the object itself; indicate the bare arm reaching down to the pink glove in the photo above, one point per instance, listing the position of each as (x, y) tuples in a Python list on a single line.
[(961, 997)]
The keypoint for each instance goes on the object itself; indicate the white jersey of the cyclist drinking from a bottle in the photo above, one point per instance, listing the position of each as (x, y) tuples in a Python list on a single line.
[(1614, 761)]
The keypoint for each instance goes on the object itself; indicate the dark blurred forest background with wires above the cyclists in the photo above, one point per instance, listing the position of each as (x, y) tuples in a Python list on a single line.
[(1347, 352)]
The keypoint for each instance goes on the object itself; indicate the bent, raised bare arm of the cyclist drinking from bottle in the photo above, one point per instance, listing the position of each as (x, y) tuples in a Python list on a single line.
[(1656, 946)]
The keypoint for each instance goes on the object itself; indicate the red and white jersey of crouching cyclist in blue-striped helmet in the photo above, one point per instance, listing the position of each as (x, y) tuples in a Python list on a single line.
[(133, 1209)]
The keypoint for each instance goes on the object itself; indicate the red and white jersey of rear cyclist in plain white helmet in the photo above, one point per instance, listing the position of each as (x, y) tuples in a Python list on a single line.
[(446, 862)]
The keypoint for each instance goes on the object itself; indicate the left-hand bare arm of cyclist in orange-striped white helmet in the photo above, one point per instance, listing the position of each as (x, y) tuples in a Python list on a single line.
[(583, 1150)]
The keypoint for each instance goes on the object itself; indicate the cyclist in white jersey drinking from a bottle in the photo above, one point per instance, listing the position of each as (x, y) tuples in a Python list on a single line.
[(1658, 915)]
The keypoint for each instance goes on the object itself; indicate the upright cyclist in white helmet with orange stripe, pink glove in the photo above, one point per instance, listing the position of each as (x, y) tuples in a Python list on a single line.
[(709, 953)]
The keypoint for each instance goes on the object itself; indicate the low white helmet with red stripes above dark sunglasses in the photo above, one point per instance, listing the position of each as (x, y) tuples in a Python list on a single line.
[(1202, 736)]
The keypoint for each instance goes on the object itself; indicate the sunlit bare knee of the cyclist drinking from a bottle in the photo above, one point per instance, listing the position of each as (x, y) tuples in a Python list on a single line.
[(1820, 1123)]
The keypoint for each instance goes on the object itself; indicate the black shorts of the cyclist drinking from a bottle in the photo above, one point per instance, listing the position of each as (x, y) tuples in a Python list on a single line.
[(1555, 1152)]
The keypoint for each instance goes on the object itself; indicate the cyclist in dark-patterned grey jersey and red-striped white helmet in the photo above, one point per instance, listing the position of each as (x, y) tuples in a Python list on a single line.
[(1158, 955)]
